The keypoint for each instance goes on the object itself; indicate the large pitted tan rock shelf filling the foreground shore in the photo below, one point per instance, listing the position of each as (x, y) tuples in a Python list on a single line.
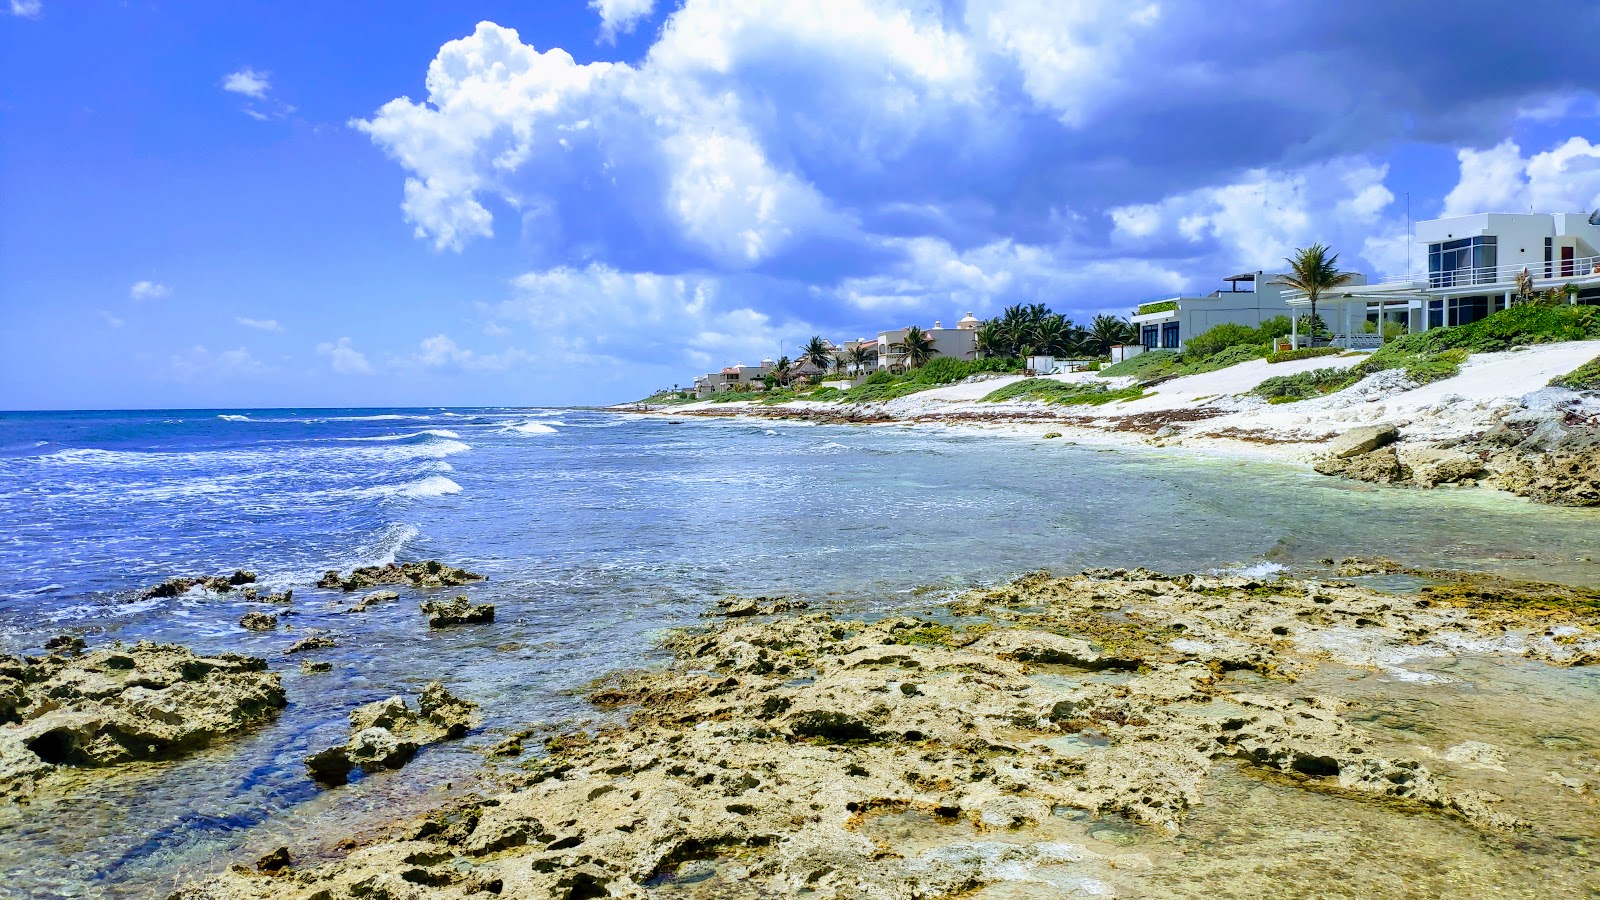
[(1052, 736)]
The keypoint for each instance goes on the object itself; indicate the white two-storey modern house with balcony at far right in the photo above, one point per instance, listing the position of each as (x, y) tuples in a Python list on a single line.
[(1473, 268)]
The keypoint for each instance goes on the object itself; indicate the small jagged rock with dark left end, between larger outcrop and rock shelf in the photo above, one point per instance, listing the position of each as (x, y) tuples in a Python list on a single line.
[(390, 733)]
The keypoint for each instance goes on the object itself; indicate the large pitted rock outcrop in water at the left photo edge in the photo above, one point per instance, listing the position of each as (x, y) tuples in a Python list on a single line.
[(124, 704)]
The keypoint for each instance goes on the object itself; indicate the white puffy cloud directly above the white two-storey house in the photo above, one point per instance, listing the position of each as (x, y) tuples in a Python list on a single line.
[(1500, 180)]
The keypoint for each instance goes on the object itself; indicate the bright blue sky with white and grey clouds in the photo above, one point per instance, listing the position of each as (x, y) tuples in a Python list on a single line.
[(577, 203)]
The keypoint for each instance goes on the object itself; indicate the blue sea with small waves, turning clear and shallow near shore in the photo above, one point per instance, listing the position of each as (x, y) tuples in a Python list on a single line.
[(598, 532)]
